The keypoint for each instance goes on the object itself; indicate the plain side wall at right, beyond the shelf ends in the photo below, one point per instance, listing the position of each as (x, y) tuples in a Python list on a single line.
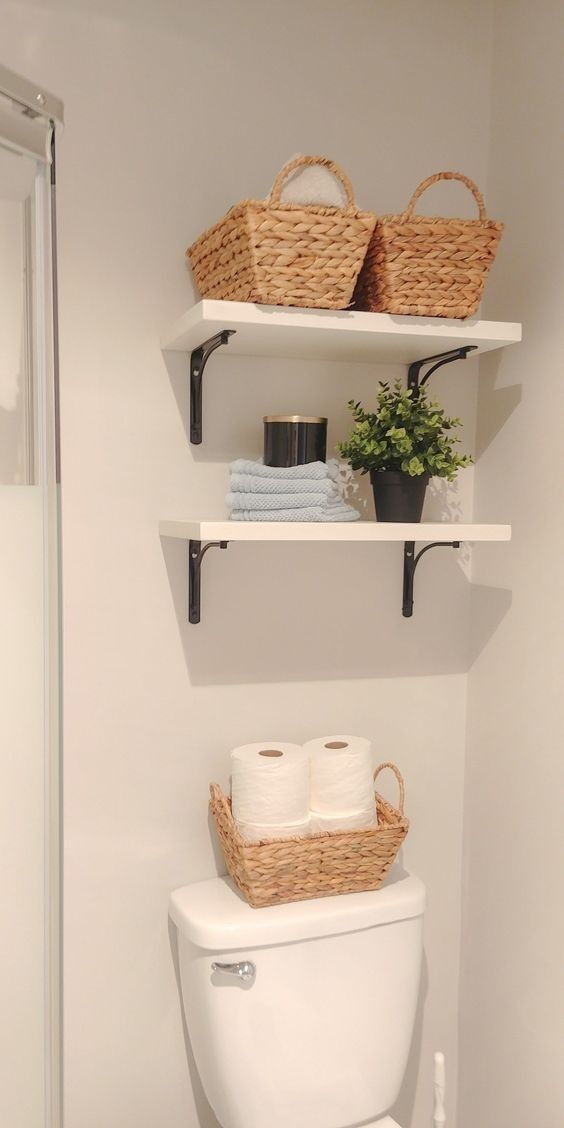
[(514, 928)]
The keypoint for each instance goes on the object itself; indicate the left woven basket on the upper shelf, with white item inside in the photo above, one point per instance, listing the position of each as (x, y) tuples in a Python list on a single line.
[(285, 254)]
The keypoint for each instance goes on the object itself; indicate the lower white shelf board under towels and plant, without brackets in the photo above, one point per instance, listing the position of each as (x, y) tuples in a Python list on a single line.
[(351, 532)]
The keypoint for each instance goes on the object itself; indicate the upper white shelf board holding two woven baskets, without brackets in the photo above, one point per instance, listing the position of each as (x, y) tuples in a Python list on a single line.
[(342, 336)]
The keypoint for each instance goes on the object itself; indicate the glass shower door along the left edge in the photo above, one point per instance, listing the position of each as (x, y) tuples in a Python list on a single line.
[(29, 653)]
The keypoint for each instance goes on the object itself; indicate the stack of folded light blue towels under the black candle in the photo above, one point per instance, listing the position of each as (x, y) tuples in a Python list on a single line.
[(293, 493)]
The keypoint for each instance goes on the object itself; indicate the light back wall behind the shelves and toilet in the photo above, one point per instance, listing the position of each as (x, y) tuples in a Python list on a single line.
[(173, 113)]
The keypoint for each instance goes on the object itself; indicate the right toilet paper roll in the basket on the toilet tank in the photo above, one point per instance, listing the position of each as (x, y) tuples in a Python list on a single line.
[(342, 775)]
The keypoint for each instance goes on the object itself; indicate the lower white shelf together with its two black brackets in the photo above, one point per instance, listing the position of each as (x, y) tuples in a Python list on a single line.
[(206, 535)]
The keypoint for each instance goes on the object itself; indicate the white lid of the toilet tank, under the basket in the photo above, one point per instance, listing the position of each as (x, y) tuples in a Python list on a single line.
[(214, 915)]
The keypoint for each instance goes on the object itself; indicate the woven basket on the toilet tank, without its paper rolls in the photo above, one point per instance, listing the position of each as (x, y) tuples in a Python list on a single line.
[(281, 870)]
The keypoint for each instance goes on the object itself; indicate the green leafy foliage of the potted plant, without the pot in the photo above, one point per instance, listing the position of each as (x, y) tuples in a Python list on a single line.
[(406, 434)]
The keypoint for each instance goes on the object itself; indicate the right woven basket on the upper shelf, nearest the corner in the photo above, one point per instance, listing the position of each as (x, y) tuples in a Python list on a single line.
[(427, 266)]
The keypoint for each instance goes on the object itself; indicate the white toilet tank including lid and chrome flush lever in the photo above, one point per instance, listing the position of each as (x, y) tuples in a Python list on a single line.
[(302, 1016)]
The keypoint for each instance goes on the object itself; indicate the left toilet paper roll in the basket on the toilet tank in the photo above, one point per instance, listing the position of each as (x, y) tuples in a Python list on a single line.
[(270, 785)]
